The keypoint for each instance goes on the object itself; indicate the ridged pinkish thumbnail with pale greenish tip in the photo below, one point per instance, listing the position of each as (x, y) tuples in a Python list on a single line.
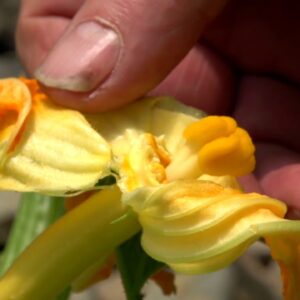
[(82, 59)]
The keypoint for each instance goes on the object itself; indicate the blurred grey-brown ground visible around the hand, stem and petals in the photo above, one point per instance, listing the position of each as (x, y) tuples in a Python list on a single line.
[(253, 277)]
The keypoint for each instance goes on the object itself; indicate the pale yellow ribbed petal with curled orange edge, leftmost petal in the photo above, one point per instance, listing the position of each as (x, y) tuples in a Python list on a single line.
[(57, 152)]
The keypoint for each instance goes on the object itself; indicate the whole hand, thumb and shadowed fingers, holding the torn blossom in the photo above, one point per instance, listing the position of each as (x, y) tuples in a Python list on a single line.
[(244, 62)]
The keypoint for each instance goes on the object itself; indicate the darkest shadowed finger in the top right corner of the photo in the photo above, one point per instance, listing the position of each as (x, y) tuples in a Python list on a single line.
[(260, 36)]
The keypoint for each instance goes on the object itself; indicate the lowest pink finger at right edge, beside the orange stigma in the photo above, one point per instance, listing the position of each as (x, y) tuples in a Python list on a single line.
[(278, 171)]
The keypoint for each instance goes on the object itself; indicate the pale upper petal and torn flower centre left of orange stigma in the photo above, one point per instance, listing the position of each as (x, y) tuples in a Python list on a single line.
[(142, 142)]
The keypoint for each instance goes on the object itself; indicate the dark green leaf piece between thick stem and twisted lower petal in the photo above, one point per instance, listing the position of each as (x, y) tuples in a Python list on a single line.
[(135, 267)]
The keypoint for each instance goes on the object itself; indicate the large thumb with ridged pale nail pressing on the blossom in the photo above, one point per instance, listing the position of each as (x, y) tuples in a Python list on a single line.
[(115, 51)]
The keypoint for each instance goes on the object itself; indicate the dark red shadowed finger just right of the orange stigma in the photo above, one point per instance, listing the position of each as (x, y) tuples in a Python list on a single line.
[(269, 110)]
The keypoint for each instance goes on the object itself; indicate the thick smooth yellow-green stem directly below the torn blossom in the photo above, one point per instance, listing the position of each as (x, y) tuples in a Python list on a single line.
[(69, 247)]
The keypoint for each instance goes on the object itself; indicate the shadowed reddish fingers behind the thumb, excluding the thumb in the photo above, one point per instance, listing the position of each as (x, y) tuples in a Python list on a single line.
[(248, 65)]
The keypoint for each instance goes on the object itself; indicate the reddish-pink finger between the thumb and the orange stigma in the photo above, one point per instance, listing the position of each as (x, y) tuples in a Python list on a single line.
[(203, 80)]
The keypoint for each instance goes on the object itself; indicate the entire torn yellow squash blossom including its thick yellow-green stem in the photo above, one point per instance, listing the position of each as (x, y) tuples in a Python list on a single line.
[(176, 181)]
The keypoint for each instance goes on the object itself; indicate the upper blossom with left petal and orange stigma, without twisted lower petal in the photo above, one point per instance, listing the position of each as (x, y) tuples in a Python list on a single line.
[(144, 144)]
